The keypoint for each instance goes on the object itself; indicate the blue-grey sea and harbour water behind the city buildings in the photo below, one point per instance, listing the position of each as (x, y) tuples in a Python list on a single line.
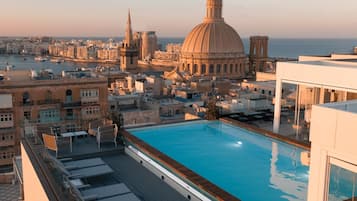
[(278, 48)]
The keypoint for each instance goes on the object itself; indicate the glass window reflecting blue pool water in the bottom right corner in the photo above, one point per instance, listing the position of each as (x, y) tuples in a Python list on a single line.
[(342, 184)]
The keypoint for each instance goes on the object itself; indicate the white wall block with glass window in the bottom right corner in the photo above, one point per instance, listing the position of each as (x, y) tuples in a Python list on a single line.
[(333, 170)]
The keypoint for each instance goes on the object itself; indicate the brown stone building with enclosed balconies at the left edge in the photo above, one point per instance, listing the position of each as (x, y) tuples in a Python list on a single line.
[(28, 101)]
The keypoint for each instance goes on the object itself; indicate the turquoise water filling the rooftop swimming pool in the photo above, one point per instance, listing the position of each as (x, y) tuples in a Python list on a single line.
[(247, 165)]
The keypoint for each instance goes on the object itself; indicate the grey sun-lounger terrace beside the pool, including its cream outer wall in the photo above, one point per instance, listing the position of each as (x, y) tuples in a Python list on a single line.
[(45, 177)]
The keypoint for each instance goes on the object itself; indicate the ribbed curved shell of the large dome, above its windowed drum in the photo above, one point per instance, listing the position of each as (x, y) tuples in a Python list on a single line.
[(212, 38)]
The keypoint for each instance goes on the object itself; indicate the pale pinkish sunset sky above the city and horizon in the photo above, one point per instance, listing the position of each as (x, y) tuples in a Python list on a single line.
[(176, 18)]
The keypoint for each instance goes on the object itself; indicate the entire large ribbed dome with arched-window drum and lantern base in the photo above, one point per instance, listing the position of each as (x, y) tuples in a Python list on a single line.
[(213, 48)]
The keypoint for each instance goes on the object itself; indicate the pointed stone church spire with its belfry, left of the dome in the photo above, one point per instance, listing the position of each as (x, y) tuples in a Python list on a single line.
[(129, 51)]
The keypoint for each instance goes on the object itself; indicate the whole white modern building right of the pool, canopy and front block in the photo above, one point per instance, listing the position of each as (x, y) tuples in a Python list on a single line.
[(333, 164)]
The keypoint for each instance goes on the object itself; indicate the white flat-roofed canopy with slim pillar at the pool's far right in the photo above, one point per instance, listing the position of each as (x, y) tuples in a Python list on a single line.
[(330, 81)]
